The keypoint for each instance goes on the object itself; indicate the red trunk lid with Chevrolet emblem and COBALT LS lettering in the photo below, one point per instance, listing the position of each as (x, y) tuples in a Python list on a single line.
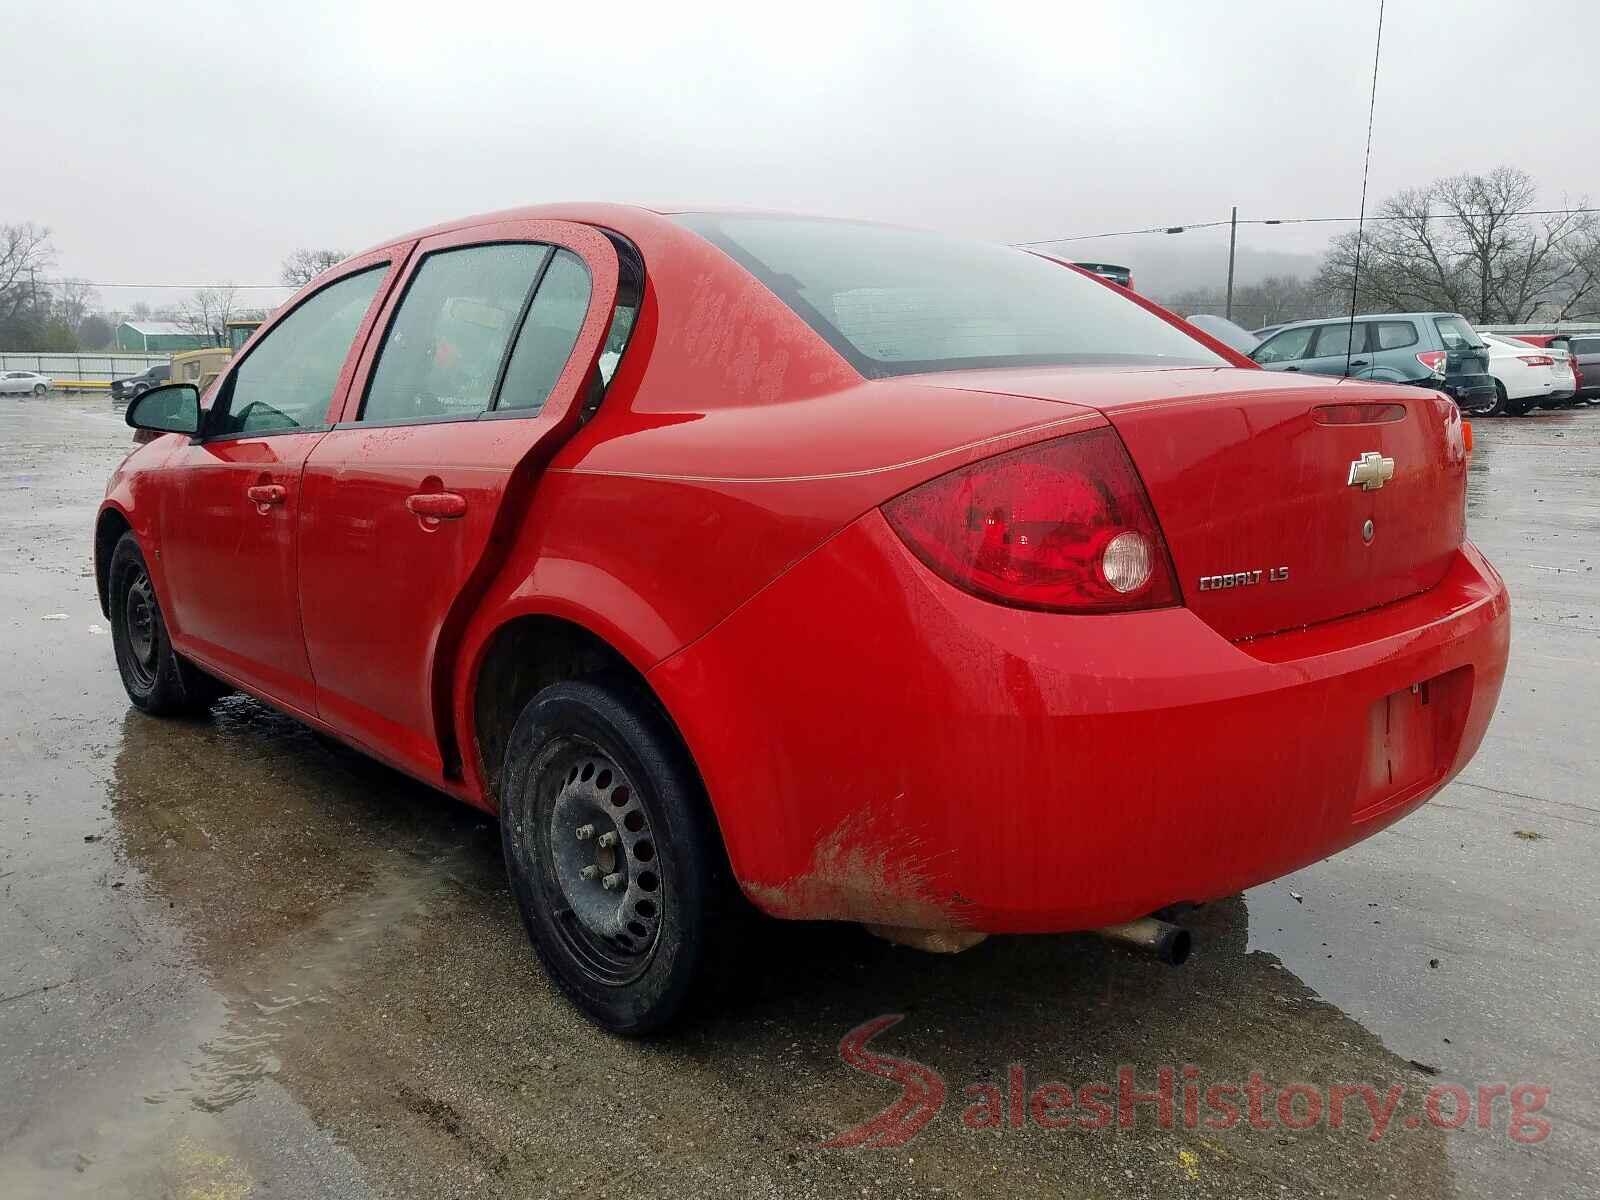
[(1250, 479)]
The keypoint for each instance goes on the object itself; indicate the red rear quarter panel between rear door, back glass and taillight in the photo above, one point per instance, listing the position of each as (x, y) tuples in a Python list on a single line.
[(732, 442)]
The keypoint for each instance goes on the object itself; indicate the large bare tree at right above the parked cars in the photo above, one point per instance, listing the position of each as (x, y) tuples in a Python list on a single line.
[(1468, 244)]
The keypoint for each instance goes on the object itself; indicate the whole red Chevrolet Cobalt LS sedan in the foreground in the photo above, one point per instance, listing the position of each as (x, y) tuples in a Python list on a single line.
[(878, 575)]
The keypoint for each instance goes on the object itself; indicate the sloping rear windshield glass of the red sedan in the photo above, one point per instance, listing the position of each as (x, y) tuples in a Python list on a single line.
[(900, 302)]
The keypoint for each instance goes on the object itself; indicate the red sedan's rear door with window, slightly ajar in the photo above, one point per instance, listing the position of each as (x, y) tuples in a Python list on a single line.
[(489, 353)]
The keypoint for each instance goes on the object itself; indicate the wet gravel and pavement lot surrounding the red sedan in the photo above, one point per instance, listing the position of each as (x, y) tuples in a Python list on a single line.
[(239, 962)]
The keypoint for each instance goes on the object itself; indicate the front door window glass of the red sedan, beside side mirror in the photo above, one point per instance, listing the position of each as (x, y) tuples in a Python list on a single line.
[(289, 378)]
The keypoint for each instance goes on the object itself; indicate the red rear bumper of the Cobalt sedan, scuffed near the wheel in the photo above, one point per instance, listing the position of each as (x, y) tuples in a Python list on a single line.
[(884, 748)]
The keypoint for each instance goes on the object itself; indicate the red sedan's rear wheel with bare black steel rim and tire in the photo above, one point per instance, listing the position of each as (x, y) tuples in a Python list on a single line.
[(614, 855)]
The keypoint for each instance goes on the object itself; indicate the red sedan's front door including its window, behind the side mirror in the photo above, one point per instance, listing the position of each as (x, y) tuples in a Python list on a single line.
[(230, 521)]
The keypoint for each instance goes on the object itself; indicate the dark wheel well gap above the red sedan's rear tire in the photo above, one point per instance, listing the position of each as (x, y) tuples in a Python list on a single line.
[(526, 657)]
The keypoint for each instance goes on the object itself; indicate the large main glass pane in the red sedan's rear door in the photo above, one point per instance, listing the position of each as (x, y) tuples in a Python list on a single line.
[(447, 342)]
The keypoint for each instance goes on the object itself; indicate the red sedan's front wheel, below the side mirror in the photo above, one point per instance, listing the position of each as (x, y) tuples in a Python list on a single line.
[(156, 676)]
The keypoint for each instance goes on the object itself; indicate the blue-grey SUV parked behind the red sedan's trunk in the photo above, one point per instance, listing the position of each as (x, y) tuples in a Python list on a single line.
[(1433, 350)]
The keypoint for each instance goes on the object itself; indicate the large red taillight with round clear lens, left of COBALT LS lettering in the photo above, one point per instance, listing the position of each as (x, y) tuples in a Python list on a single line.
[(1063, 526)]
